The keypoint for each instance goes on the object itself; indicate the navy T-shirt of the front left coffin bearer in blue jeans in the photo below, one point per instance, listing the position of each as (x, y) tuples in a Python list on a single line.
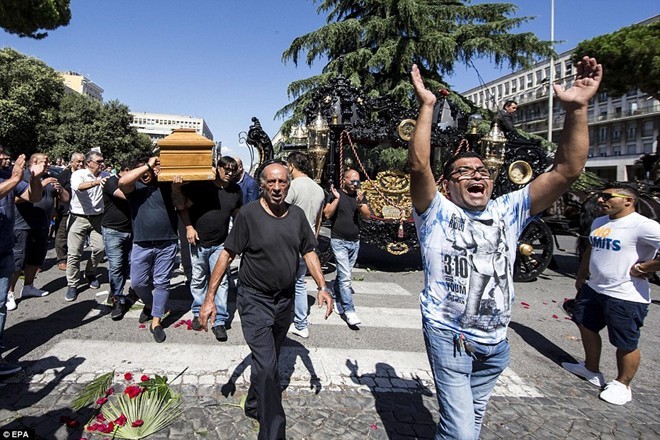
[(152, 212)]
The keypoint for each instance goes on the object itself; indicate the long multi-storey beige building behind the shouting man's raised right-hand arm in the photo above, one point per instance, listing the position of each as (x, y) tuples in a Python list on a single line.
[(621, 129)]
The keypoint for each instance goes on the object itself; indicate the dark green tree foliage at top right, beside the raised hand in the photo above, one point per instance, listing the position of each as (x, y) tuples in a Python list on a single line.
[(630, 58)]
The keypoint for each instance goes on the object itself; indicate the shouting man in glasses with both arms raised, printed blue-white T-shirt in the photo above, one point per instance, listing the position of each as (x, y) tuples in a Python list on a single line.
[(468, 244)]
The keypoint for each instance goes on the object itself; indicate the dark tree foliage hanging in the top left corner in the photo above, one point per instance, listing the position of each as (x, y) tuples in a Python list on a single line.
[(27, 17)]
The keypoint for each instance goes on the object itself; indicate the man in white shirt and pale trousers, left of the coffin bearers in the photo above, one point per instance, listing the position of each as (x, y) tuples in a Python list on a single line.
[(85, 221)]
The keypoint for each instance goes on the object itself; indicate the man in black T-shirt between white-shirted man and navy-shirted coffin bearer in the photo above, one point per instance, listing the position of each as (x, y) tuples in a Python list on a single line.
[(118, 240)]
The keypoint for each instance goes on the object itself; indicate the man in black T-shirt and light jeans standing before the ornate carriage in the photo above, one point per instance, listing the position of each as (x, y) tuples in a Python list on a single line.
[(343, 208)]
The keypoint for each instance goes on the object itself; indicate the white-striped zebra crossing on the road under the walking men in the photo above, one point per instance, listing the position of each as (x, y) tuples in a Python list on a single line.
[(302, 360)]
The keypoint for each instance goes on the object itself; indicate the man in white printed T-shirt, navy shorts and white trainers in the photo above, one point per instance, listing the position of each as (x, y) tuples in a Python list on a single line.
[(613, 289)]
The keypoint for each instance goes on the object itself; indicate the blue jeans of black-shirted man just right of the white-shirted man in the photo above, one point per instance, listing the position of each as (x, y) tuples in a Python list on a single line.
[(118, 250)]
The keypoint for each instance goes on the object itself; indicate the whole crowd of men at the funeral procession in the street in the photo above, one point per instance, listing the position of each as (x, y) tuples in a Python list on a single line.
[(466, 238)]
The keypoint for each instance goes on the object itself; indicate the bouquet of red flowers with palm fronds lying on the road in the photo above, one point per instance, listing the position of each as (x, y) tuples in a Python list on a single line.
[(141, 409)]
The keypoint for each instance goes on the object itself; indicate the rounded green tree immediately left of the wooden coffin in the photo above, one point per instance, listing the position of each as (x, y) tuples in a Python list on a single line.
[(86, 123)]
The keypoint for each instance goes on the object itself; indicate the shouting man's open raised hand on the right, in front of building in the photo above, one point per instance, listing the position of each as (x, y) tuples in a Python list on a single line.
[(587, 80)]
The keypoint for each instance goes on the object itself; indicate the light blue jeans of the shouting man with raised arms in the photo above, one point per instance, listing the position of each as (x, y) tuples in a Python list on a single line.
[(463, 381)]
